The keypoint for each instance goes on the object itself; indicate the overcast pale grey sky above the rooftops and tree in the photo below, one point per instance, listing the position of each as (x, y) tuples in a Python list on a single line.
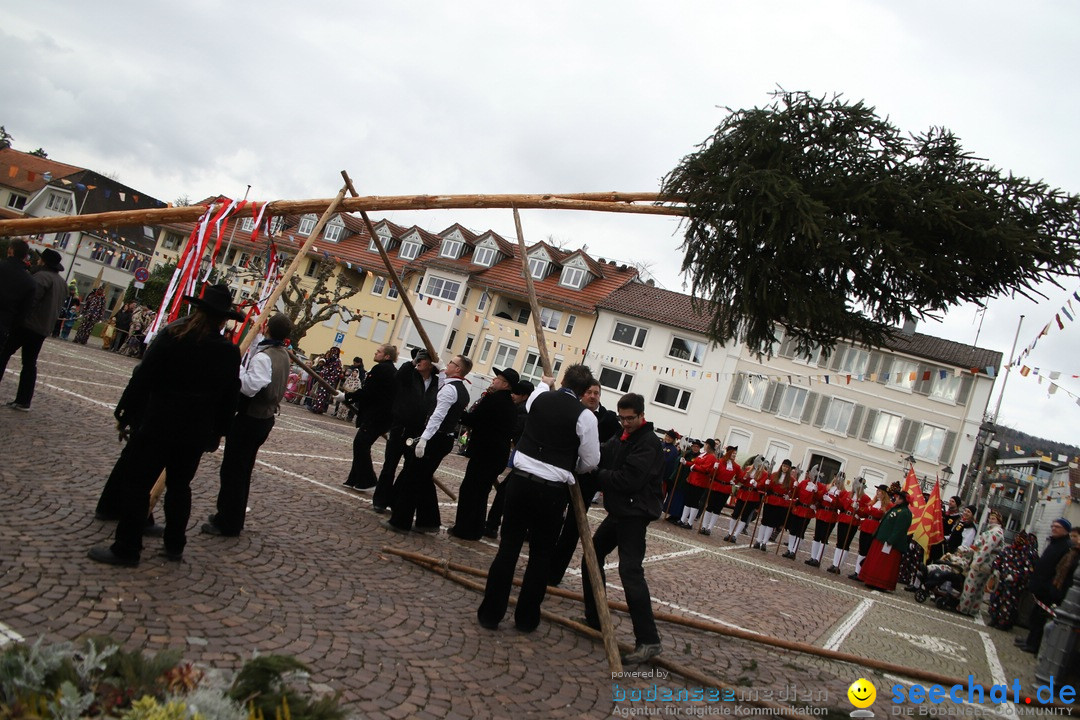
[(200, 99)]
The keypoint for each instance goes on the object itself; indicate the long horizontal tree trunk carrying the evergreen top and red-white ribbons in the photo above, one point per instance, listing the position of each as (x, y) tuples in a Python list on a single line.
[(604, 202)]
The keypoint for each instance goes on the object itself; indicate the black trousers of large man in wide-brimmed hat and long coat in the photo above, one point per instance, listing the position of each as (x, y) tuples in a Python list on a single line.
[(151, 455)]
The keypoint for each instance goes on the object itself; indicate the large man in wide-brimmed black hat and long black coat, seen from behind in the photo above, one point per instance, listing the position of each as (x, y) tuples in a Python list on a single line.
[(185, 391)]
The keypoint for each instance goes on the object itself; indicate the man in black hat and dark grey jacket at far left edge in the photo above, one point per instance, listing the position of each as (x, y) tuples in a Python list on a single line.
[(31, 334)]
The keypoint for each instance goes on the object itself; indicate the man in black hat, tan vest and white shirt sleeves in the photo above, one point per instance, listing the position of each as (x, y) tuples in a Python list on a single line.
[(263, 385)]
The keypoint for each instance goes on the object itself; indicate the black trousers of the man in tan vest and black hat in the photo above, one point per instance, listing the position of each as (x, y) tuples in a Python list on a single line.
[(241, 446)]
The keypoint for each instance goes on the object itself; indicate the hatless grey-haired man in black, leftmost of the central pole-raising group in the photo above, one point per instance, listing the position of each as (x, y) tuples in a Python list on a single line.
[(372, 400)]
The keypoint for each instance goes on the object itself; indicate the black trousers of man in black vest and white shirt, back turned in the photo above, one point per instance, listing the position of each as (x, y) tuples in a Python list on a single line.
[(535, 511)]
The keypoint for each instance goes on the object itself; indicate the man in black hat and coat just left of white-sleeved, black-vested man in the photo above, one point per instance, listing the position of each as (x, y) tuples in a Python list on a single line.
[(492, 423)]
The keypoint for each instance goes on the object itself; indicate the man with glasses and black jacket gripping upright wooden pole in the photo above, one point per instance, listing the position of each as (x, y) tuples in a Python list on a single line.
[(630, 478)]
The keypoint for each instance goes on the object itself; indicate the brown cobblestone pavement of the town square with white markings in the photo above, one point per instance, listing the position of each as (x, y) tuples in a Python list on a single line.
[(309, 578)]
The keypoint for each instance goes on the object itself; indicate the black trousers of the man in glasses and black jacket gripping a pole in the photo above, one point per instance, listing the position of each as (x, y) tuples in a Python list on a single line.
[(628, 535)]
